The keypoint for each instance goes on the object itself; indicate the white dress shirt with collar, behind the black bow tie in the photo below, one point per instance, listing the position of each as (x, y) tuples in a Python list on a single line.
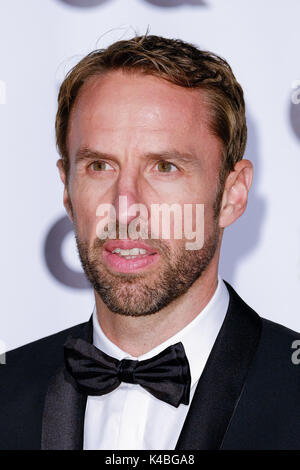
[(129, 417)]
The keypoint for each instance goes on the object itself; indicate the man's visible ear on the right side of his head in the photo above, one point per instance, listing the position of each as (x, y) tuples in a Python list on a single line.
[(235, 195)]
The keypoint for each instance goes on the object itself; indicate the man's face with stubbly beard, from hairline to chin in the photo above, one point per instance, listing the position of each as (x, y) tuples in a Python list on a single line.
[(144, 138)]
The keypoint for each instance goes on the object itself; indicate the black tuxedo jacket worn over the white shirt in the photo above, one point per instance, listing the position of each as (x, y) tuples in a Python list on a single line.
[(248, 396)]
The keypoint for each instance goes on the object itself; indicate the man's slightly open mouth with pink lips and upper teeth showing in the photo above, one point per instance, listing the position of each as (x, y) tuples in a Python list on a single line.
[(127, 256)]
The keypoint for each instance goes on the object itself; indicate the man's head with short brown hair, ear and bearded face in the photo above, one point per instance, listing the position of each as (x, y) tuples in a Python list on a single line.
[(158, 121)]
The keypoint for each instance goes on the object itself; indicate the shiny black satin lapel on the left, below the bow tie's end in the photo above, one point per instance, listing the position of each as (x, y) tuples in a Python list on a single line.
[(64, 409)]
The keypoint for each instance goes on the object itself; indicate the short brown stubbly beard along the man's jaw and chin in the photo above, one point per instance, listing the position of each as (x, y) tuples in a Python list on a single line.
[(140, 294)]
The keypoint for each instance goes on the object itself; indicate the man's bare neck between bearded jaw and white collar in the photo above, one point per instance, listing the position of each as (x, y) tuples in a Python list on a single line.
[(138, 335)]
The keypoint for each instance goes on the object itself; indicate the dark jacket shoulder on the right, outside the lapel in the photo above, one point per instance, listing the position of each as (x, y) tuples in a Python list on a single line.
[(267, 415)]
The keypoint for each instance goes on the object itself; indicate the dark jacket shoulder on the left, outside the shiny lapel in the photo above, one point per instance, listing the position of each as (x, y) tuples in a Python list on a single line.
[(24, 380)]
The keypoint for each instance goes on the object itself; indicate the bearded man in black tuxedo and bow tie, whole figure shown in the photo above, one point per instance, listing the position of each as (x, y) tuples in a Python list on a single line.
[(172, 357)]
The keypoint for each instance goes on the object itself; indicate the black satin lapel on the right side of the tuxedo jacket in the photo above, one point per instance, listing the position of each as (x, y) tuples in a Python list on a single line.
[(222, 380)]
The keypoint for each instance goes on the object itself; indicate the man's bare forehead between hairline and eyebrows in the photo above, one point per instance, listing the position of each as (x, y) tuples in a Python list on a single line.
[(136, 107)]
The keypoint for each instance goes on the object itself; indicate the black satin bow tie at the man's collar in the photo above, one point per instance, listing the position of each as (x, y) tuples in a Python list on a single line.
[(166, 375)]
